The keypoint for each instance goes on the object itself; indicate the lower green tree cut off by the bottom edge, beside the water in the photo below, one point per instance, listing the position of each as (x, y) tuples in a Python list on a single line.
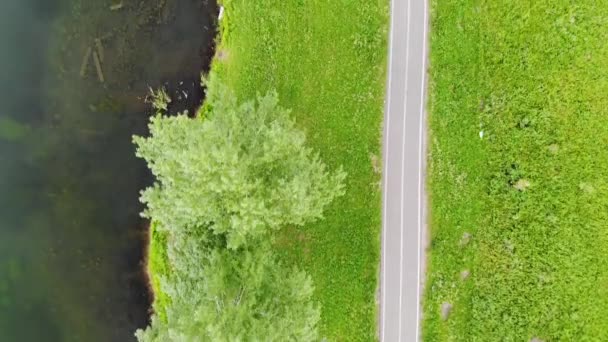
[(224, 295)]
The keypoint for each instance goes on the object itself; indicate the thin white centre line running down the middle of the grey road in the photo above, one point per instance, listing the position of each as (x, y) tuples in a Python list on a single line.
[(407, 67)]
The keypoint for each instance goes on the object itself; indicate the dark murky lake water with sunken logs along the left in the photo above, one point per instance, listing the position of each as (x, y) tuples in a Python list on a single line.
[(73, 78)]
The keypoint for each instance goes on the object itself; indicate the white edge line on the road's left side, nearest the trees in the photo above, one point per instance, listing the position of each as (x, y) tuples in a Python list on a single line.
[(387, 128)]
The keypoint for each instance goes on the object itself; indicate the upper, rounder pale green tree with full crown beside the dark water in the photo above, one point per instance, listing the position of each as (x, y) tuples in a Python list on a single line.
[(241, 171)]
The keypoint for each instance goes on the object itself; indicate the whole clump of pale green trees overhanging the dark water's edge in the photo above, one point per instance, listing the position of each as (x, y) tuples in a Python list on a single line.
[(224, 183)]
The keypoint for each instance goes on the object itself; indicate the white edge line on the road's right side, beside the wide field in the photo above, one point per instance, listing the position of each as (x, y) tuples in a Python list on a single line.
[(418, 304)]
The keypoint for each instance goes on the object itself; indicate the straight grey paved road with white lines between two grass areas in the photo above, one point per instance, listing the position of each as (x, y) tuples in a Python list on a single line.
[(404, 140)]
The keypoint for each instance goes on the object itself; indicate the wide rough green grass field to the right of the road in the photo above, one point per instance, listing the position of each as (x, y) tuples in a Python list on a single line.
[(533, 192)]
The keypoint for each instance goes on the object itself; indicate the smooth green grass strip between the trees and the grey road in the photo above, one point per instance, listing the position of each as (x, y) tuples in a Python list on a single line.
[(327, 61)]
